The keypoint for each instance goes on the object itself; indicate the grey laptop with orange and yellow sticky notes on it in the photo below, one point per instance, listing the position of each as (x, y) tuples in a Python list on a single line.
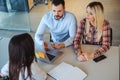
[(49, 56)]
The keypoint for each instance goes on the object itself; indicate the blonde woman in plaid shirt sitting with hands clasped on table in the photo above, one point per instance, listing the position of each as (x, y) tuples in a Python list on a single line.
[(93, 29)]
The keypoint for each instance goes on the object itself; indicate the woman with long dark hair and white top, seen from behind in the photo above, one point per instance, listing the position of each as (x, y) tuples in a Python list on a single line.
[(22, 65)]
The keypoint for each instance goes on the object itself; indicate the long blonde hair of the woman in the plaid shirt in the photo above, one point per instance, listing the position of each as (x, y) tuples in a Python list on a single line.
[(98, 13)]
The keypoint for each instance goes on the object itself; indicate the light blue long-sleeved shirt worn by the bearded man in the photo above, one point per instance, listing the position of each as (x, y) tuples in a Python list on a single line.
[(62, 30)]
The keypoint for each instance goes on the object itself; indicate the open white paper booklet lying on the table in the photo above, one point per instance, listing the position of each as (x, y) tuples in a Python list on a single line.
[(66, 71)]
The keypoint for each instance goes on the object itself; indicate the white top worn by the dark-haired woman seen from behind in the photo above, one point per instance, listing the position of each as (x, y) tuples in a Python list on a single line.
[(37, 73)]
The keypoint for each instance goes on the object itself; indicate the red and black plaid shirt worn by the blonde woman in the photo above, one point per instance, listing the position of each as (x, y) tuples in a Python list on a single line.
[(91, 37)]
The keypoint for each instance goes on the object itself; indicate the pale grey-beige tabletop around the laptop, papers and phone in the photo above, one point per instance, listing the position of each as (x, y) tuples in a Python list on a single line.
[(107, 69)]
